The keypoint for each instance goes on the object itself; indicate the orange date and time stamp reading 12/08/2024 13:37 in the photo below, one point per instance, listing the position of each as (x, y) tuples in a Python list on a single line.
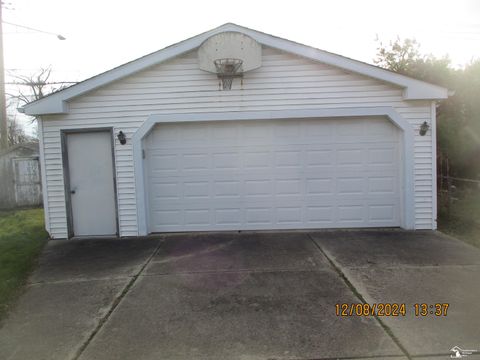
[(391, 309)]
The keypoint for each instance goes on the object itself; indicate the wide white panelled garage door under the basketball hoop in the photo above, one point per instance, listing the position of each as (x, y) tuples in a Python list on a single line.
[(273, 174)]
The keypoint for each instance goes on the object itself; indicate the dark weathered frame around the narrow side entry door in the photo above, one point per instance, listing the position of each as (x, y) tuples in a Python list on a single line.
[(66, 175)]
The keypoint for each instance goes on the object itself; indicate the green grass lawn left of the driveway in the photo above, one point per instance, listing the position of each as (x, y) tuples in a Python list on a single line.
[(22, 237)]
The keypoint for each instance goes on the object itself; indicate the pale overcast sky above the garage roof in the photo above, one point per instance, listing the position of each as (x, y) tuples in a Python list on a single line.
[(102, 34)]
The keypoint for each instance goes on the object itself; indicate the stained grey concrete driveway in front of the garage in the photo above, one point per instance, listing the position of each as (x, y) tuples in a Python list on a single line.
[(249, 295)]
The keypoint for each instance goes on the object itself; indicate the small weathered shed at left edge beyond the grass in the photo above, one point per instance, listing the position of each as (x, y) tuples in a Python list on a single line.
[(20, 184)]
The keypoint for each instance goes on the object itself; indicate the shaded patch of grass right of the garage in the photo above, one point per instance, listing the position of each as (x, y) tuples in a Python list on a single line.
[(462, 220)]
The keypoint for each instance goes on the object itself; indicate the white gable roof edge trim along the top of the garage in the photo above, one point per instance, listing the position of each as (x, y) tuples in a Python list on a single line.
[(57, 102)]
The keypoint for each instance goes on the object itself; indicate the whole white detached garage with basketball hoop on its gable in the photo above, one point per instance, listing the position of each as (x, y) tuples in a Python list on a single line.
[(235, 129)]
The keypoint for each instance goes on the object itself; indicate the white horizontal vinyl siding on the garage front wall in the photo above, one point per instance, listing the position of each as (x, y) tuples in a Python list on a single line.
[(284, 82)]
